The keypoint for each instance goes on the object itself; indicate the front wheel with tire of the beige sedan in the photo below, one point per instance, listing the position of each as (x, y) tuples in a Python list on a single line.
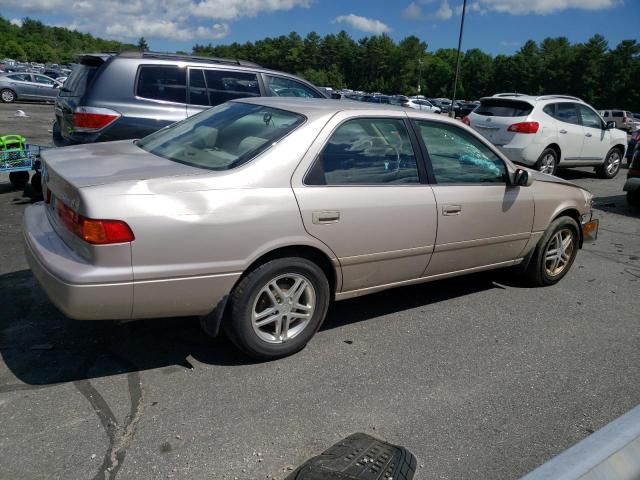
[(555, 252)]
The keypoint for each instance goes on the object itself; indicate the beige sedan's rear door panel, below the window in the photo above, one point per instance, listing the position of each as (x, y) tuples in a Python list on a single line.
[(384, 234)]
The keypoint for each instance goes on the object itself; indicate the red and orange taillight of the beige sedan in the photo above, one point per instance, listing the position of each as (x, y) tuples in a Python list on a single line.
[(97, 232)]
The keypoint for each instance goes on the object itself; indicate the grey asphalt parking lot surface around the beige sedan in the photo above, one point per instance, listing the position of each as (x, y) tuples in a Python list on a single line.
[(480, 377)]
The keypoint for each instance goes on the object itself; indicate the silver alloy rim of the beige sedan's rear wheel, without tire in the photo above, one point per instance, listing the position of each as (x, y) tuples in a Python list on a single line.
[(283, 308)]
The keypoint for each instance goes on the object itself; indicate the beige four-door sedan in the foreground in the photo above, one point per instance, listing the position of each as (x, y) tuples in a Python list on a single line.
[(256, 214)]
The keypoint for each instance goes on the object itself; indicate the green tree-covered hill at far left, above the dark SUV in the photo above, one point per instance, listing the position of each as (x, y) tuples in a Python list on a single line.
[(35, 42)]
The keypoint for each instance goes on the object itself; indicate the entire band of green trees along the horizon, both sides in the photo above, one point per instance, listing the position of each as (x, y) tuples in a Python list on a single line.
[(605, 77)]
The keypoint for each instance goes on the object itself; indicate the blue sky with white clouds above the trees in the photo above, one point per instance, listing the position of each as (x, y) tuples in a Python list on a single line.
[(494, 26)]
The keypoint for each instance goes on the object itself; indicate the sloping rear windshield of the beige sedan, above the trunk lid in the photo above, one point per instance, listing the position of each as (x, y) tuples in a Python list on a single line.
[(222, 137)]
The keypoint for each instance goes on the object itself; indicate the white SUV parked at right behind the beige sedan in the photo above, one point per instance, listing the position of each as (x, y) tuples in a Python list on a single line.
[(550, 132)]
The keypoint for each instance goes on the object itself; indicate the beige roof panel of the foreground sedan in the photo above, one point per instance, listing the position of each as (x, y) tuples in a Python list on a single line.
[(318, 107)]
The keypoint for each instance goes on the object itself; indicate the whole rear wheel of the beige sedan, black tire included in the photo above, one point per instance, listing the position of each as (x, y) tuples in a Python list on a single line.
[(277, 308)]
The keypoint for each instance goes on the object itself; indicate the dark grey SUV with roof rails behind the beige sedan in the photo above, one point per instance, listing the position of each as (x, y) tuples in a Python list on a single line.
[(129, 95)]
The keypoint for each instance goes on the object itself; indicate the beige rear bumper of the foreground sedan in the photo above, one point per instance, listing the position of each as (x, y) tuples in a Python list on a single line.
[(56, 267)]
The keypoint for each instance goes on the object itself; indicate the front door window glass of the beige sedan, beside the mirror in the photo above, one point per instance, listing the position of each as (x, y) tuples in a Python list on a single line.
[(457, 157)]
